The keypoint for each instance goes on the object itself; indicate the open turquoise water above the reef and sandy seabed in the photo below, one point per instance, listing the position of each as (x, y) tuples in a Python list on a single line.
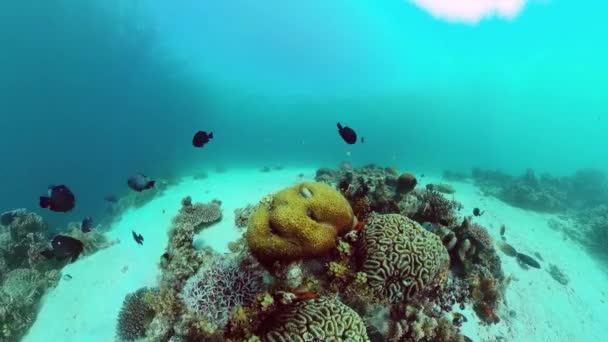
[(93, 92)]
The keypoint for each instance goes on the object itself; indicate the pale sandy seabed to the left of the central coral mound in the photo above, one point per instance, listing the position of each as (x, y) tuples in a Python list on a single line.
[(86, 307)]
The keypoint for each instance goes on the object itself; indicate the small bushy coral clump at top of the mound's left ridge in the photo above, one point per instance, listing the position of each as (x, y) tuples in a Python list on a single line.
[(197, 215)]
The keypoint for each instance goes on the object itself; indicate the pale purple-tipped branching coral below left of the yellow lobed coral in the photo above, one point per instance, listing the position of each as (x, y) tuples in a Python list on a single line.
[(222, 284)]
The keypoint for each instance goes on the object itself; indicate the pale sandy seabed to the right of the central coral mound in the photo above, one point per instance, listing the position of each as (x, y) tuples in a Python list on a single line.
[(544, 309)]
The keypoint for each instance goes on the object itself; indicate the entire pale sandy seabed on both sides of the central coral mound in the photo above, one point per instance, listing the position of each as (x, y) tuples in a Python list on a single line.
[(86, 307)]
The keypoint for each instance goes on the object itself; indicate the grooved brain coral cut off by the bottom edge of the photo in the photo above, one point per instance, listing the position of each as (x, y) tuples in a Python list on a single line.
[(322, 319)]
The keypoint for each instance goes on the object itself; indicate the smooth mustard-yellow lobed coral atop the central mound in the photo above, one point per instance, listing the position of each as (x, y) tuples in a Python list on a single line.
[(300, 221)]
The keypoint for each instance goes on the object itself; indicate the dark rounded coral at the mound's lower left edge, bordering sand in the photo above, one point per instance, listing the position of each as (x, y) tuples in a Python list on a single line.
[(135, 315)]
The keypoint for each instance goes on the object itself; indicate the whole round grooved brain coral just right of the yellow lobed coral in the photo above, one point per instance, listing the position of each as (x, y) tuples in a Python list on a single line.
[(400, 257)]
